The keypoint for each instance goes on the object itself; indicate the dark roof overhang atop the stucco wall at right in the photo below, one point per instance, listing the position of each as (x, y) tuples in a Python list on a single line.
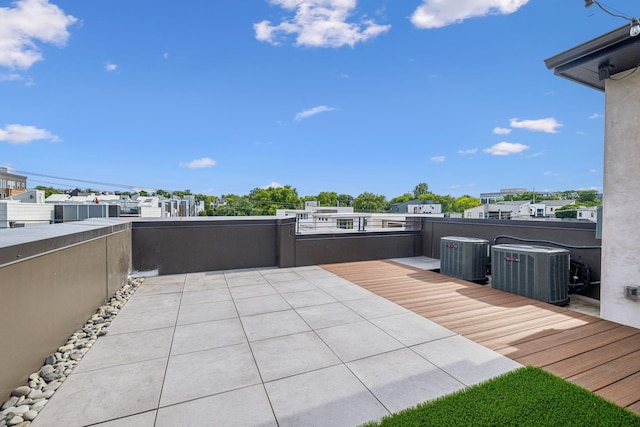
[(591, 63)]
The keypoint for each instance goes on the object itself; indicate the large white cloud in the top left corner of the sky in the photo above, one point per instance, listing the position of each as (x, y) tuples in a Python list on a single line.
[(24, 24)]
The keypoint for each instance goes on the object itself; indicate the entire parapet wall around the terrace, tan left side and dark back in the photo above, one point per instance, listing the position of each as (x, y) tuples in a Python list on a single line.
[(54, 277)]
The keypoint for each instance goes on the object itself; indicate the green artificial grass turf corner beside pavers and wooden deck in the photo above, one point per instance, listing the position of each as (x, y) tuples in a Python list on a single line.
[(527, 396)]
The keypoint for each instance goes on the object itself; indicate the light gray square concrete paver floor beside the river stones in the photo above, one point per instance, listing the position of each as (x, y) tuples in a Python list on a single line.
[(264, 347)]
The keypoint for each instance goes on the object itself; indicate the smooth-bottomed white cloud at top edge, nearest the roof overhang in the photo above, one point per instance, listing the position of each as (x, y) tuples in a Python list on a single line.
[(440, 13)]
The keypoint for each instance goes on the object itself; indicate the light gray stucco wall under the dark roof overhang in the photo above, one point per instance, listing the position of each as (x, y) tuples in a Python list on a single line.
[(620, 231)]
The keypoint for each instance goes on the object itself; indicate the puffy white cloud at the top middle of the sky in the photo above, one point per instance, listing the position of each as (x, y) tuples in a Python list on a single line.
[(319, 23)]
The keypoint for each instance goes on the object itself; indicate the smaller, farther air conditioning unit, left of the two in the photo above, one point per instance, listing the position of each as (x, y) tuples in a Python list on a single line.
[(464, 258)]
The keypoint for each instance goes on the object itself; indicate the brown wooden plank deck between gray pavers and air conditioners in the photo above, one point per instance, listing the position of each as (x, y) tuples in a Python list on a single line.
[(599, 355)]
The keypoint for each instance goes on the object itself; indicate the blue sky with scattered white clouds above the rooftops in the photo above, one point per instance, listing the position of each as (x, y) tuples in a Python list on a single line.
[(350, 96)]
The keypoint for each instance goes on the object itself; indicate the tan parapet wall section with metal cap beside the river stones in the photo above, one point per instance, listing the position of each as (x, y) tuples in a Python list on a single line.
[(52, 279)]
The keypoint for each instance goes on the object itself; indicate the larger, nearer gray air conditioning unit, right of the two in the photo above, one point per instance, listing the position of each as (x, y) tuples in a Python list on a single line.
[(537, 272)]
